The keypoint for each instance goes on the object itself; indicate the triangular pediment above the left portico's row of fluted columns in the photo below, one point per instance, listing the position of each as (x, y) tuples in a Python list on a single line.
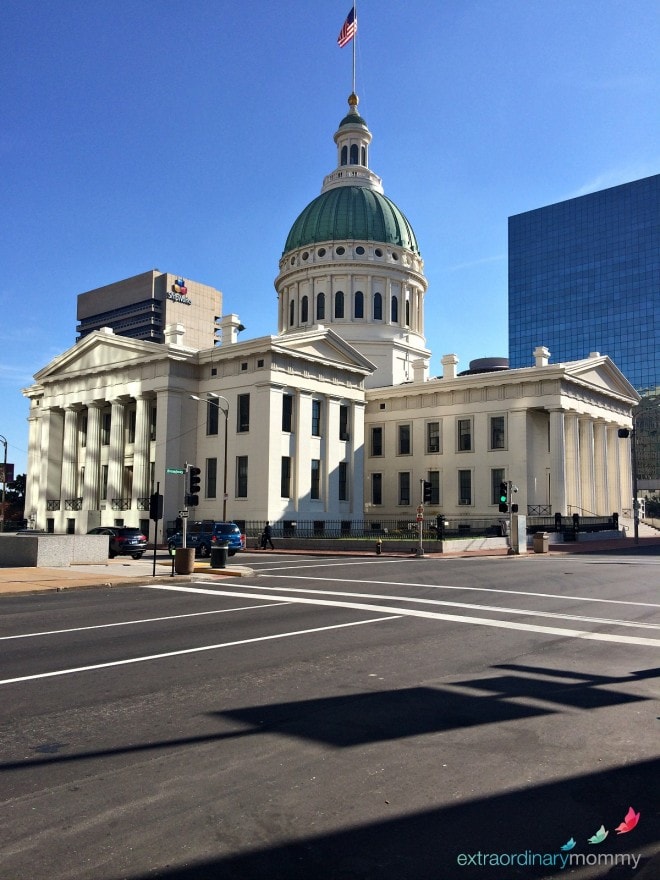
[(99, 352)]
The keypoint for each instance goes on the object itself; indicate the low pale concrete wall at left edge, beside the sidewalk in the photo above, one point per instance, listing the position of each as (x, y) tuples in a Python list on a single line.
[(52, 551)]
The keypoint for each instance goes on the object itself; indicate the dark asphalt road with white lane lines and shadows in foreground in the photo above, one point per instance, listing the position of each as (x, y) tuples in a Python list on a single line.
[(326, 718)]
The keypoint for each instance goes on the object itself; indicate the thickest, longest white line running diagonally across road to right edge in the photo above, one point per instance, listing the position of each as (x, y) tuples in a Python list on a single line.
[(432, 615)]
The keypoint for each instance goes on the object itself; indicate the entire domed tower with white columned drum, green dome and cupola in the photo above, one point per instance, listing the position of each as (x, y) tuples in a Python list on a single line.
[(352, 261)]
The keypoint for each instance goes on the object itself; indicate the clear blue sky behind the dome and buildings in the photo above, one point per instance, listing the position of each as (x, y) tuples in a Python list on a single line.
[(140, 134)]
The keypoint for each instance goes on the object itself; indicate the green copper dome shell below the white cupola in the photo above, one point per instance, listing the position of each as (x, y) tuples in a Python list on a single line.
[(351, 212)]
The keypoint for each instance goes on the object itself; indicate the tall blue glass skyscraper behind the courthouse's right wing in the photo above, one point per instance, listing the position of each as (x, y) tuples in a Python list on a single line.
[(584, 275)]
